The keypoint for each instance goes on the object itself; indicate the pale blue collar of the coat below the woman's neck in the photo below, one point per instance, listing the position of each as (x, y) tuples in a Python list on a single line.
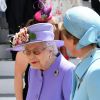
[(83, 66)]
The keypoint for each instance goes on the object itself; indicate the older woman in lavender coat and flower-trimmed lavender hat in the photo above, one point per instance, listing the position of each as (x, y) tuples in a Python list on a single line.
[(50, 74)]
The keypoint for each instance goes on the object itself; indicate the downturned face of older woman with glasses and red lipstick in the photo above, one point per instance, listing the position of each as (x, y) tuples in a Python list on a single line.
[(38, 55)]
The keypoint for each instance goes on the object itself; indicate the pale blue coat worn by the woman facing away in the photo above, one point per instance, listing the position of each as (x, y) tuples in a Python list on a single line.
[(86, 83)]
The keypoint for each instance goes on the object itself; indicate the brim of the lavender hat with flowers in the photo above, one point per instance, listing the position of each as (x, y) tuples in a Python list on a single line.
[(59, 43)]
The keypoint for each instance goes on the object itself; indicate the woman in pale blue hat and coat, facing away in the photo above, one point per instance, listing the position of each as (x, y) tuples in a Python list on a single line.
[(81, 29)]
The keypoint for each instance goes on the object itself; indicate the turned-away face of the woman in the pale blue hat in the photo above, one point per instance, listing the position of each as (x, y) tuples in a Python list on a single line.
[(71, 46)]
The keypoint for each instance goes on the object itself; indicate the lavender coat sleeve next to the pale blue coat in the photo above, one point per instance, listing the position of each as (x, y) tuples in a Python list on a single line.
[(67, 84)]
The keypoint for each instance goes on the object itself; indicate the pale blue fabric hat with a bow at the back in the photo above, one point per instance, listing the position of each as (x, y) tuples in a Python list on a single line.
[(84, 24)]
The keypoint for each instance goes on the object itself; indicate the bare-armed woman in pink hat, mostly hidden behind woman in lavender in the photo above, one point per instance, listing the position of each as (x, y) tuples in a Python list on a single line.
[(43, 15)]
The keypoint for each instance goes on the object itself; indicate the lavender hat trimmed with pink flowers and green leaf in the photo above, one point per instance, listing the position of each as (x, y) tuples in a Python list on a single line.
[(35, 33)]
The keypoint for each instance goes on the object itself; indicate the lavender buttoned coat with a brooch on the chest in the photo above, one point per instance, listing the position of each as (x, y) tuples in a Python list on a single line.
[(52, 84)]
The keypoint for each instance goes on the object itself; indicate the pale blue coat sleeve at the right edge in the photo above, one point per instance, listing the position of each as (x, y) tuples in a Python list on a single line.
[(93, 85)]
